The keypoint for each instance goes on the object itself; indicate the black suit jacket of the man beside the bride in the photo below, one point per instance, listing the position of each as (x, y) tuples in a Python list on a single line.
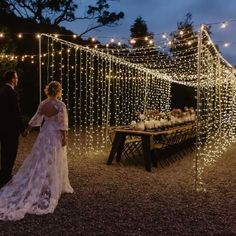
[(10, 116)]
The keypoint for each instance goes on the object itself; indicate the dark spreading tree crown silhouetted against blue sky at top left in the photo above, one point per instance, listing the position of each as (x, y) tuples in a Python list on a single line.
[(54, 12)]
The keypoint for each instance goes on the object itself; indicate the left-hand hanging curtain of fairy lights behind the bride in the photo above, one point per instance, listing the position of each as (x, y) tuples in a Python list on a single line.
[(100, 89)]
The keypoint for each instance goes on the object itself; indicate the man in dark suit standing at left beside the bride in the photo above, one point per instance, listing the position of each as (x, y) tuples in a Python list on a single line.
[(10, 125)]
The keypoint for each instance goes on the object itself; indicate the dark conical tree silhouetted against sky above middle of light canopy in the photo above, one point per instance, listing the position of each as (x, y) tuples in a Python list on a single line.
[(139, 33)]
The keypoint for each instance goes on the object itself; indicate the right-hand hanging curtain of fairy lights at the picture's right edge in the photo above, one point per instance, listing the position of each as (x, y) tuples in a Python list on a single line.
[(216, 88)]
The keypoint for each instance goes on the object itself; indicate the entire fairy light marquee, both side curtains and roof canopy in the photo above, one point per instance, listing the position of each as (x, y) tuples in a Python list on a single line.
[(104, 87)]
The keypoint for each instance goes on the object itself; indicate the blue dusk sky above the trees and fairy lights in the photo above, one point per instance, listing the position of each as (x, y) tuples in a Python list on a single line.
[(162, 16)]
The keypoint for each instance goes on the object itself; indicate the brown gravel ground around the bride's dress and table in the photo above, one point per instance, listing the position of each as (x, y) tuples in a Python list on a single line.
[(124, 199)]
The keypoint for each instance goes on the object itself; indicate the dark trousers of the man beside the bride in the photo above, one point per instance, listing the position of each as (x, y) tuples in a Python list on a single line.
[(9, 144)]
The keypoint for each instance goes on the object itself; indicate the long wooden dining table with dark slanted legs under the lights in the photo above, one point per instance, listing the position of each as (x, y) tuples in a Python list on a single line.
[(146, 137)]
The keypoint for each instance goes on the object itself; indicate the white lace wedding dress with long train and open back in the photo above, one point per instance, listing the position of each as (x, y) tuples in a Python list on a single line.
[(37, 186)]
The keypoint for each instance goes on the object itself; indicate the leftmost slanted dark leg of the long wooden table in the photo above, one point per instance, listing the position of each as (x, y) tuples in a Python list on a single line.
[(117, 147)]
